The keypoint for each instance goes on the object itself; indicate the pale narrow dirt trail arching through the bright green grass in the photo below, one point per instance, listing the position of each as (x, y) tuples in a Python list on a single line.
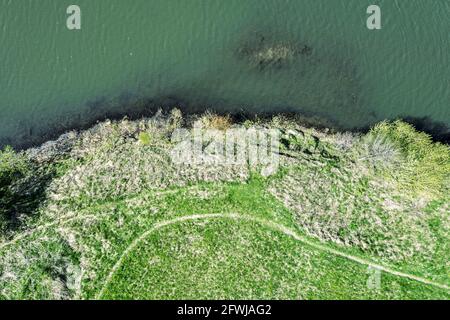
[(270, 224)]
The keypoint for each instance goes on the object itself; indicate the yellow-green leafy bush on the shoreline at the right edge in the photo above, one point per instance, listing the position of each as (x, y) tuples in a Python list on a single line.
[(425, 168)]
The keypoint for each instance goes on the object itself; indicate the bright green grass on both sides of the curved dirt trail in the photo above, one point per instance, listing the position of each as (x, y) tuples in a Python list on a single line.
[(291, 268)]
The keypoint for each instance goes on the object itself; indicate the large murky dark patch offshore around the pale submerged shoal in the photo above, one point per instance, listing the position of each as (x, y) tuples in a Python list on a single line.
[(309, 77)]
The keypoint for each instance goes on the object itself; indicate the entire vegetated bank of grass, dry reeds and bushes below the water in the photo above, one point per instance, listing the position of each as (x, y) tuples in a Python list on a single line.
[(105, 213)]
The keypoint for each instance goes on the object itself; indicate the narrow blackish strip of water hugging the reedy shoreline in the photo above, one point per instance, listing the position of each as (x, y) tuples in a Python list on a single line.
[(142, 108)]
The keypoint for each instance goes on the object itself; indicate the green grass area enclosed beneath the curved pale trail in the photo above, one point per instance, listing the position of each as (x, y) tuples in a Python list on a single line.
[(229, 259)]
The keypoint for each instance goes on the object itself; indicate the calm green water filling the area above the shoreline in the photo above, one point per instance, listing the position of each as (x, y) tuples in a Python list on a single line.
[(187, 52)]
